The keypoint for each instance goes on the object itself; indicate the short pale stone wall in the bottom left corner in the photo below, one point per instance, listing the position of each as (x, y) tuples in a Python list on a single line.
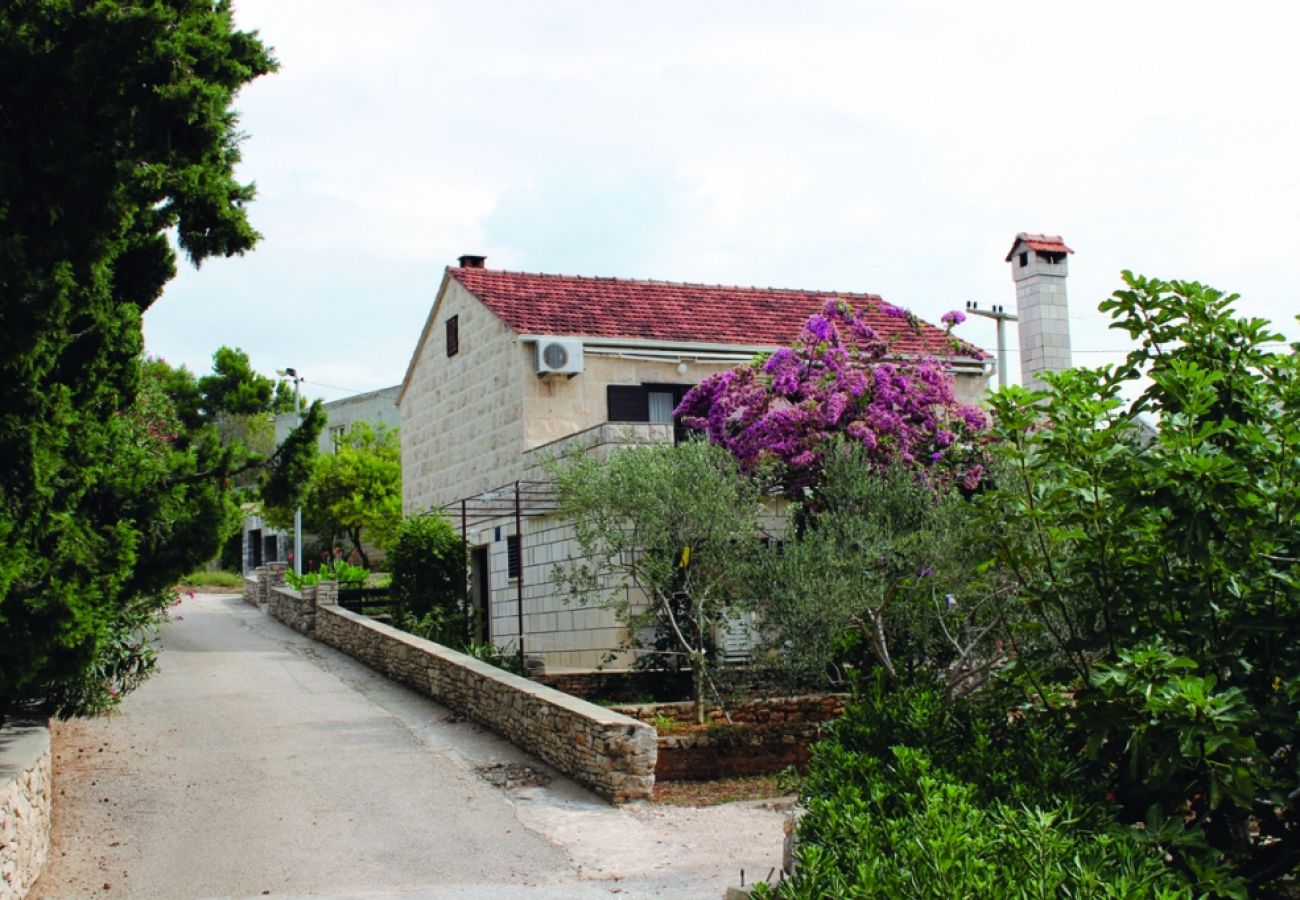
[(25, 807)]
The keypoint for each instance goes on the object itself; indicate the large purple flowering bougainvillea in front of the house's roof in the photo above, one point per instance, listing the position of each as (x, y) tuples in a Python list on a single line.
[(840, 380)]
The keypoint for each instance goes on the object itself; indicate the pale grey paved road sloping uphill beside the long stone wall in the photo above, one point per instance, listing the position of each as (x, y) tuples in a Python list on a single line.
[(259, 763)]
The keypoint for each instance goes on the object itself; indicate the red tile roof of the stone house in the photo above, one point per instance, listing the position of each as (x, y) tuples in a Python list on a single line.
[(578, 306)]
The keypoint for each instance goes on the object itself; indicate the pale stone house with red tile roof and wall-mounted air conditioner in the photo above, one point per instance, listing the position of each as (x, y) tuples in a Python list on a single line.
[(513, 369)]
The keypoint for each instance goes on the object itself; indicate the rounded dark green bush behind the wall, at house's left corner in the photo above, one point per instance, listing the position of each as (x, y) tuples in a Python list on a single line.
[(428, 569)]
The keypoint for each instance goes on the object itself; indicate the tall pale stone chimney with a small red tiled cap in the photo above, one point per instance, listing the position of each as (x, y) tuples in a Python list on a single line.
[(1039, 271)]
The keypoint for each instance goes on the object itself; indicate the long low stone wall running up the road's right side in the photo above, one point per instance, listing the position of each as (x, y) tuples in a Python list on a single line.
[(612, 754)]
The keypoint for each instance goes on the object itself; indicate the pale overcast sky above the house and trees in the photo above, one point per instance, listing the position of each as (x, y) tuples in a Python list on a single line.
[(882, 148)]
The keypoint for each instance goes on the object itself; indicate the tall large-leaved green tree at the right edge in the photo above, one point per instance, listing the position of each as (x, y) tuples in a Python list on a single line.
[(1159, 566)]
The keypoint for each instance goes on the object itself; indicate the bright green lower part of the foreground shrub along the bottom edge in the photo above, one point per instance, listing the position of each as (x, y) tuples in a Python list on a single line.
[(903, 828)]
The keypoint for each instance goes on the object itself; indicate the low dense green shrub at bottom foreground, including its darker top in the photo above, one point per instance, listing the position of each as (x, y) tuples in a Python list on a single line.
[(916, 797)]
